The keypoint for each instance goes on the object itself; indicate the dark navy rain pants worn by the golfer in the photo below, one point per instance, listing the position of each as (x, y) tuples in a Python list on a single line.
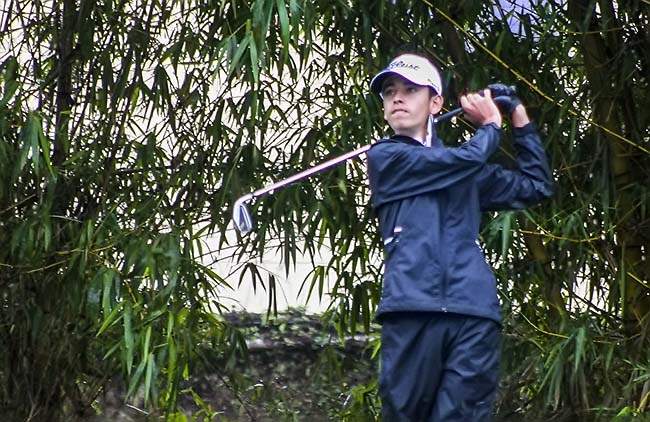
[(438, 367)]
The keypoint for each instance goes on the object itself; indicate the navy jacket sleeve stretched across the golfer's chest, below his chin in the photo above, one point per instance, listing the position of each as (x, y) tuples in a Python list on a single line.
[(397, 170)]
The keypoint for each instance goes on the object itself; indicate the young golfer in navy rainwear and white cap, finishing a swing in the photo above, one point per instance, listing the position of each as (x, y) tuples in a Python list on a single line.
[(439, 310)]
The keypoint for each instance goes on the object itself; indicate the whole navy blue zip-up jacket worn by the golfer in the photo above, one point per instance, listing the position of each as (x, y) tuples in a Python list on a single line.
[(429, 203)]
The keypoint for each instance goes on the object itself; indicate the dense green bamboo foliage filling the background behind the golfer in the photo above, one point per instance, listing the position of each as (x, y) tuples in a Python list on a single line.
[(129, 128)]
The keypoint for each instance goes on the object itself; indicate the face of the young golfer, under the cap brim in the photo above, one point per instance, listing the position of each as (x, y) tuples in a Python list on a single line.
[(407, 106)]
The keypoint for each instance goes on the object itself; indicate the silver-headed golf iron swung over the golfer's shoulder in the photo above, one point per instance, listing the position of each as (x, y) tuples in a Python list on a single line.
[(241, 215)]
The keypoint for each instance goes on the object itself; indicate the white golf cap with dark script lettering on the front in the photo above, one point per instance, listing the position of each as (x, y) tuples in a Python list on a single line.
[(412, 67)]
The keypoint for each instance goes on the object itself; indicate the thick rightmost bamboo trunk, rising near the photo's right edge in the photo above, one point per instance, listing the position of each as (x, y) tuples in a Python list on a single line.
[(624, 172)]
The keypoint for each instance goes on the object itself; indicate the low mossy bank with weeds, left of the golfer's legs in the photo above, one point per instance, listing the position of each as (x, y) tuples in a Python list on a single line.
[(296, 370)]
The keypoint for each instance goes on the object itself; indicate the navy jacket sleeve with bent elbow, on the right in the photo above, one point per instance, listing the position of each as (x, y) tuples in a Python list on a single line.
[(529, 184)]
